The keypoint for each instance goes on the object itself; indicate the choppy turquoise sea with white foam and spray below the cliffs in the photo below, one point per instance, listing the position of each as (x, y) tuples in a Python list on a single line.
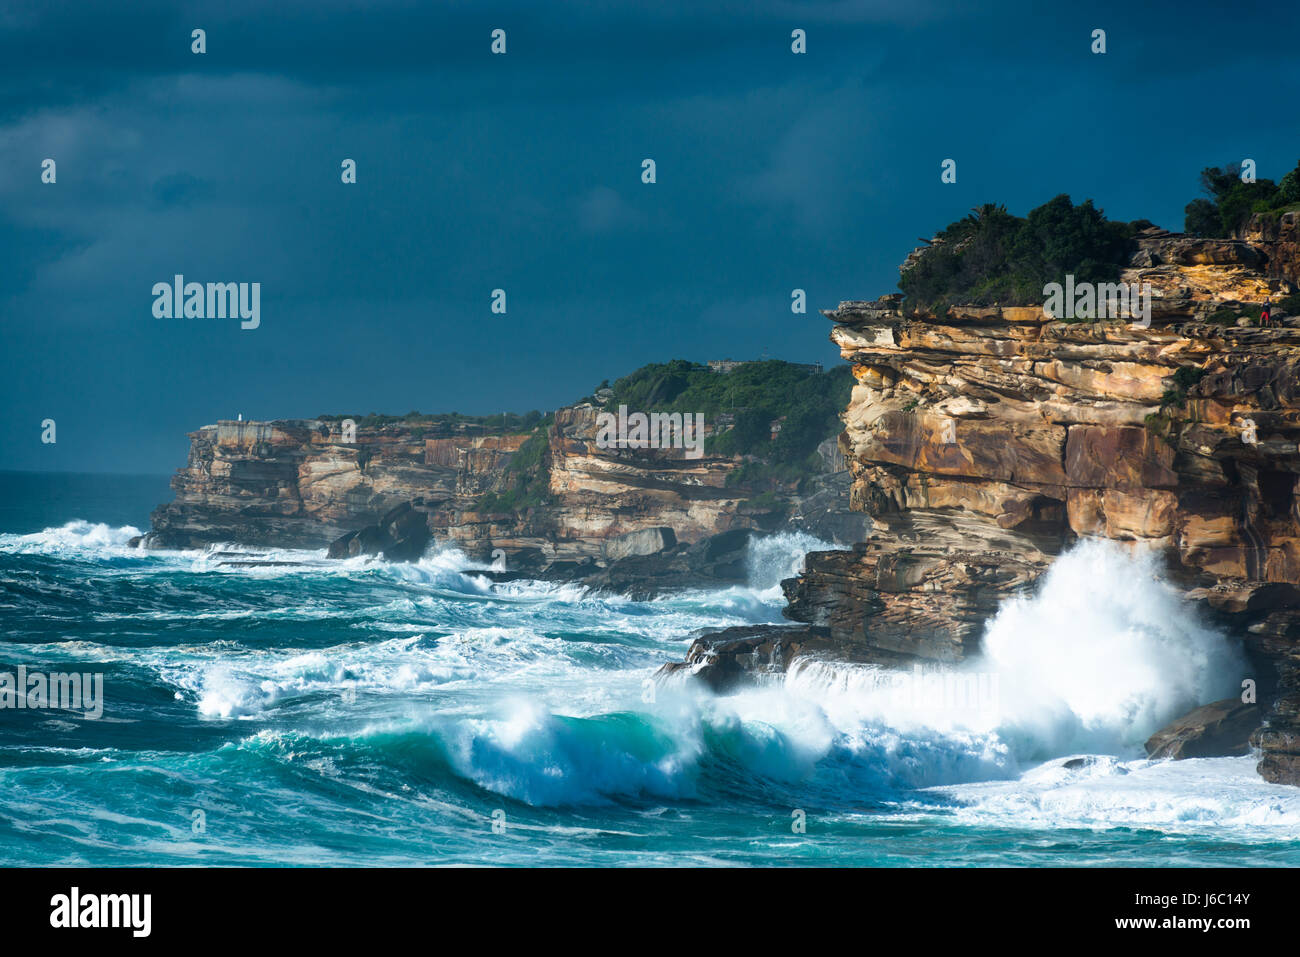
[(361, 713)]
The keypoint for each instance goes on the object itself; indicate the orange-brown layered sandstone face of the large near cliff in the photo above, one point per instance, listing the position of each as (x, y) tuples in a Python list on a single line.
[(985, 443)]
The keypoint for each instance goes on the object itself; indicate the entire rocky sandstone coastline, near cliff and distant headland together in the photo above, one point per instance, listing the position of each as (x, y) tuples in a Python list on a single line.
[(980, 443)]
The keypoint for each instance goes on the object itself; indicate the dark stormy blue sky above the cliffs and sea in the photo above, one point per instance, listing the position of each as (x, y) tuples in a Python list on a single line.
[(523, 172)]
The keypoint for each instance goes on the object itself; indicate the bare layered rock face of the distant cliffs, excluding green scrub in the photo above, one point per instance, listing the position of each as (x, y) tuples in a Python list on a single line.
[(298, 484)]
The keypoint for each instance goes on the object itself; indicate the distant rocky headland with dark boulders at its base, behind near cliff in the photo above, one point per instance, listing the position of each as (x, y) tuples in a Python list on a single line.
[(636, 521)]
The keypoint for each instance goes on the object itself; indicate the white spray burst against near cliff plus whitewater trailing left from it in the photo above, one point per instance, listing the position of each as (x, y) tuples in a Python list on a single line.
[(1095, 660)]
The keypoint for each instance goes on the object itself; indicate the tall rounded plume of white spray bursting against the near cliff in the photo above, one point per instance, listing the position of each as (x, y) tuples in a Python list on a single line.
[(1103, 655)]
